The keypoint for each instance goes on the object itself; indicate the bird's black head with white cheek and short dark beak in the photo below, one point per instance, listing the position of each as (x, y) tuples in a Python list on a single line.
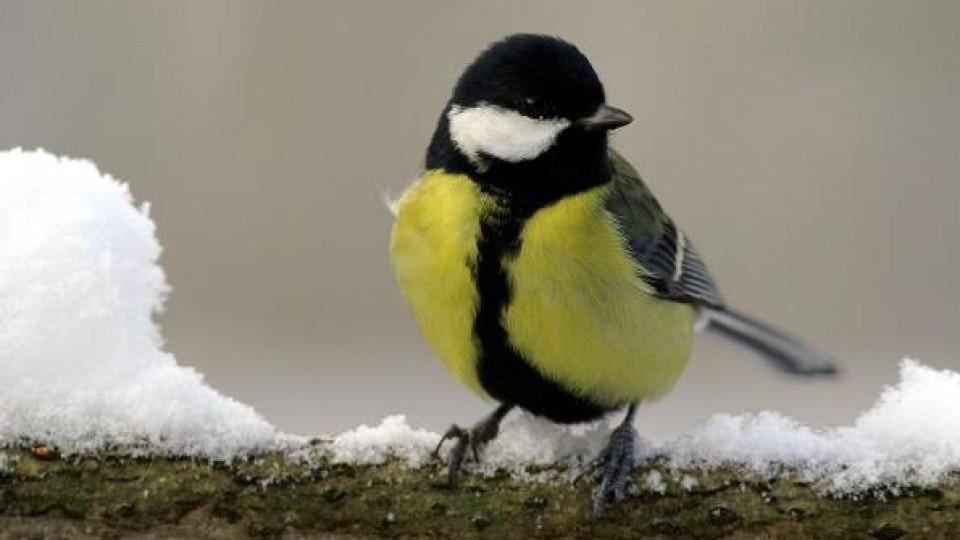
[(529, 114)]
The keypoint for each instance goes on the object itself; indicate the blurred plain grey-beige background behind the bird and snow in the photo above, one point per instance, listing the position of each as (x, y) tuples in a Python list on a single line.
[(811, 149)]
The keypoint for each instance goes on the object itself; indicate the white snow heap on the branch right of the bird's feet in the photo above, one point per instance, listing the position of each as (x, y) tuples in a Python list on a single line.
[(910, 436)]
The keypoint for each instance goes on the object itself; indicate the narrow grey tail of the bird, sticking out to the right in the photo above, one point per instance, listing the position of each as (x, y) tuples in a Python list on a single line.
[(781, 350)]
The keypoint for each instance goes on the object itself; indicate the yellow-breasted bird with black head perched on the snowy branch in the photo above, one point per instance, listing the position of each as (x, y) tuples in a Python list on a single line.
[(542, 270)]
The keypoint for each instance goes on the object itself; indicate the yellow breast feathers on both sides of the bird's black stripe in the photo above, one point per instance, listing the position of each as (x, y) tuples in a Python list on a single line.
[(578, 310)]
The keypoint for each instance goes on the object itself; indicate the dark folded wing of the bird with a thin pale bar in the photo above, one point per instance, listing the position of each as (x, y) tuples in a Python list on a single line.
[(670, 263)]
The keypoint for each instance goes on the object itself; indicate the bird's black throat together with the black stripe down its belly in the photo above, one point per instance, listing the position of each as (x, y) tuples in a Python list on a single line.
[(520, 190)]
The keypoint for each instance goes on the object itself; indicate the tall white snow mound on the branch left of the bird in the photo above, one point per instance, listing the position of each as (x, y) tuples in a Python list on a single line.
[(79, 284)]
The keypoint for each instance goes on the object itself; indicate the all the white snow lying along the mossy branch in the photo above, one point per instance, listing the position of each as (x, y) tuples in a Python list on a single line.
[(82, 366)]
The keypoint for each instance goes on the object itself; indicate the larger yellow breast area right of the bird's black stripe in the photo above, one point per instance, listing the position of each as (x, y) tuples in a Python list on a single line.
[(580, 313)]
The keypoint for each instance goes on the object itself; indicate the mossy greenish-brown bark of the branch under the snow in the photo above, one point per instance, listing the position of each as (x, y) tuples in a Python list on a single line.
[(114, 495)]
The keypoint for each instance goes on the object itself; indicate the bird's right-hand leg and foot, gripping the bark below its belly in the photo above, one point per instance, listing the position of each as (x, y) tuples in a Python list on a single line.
[(618, 460)]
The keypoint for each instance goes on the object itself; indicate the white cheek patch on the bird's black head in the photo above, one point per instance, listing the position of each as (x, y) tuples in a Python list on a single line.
[(501, 133)]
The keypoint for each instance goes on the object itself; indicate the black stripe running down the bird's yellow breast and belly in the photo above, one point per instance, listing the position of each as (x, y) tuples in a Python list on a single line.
[(502, 371)]
